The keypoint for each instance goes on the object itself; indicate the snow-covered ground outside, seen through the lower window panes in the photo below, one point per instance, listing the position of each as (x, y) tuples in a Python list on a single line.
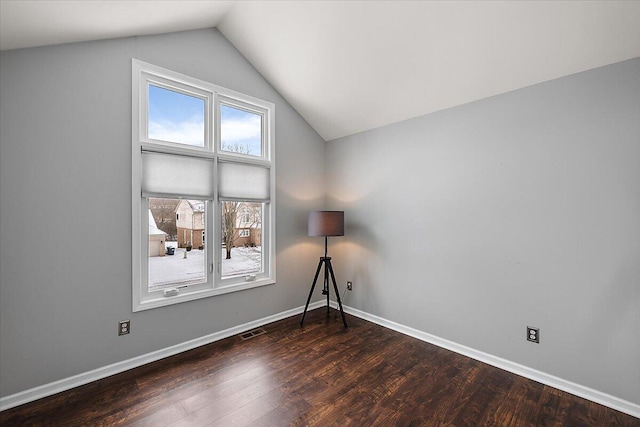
[(172, 270)]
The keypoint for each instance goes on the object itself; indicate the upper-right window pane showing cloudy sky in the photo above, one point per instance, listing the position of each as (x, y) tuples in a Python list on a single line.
[(240, 131)]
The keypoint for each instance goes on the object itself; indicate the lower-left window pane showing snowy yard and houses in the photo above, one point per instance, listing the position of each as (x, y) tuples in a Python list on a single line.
[(176, 243)]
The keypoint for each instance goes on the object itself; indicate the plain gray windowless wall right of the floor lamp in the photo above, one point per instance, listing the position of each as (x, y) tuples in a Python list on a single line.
[(520, 209)]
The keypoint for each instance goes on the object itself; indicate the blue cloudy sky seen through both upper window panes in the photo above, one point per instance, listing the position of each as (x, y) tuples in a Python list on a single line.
[(177, 117)]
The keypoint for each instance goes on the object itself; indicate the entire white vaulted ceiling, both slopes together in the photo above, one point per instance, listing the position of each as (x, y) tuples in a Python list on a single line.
[(349, 66)]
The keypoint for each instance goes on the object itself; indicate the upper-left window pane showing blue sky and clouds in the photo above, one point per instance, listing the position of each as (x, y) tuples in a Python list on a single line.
[(176, 117)]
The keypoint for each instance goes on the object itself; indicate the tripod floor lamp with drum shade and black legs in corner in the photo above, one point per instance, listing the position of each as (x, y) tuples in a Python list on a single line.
[(325, 224)]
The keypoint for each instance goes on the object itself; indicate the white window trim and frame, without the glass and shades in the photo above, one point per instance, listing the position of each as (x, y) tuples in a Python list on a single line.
[(142, 73)]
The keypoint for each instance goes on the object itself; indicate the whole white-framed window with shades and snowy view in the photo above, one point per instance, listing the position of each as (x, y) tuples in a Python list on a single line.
[(203, 187)]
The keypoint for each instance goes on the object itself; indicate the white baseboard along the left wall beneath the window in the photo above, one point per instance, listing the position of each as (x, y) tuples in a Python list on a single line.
[(45, 390)]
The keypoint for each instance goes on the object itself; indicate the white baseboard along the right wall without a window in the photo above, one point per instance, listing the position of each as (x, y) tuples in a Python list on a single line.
[(524, 371)]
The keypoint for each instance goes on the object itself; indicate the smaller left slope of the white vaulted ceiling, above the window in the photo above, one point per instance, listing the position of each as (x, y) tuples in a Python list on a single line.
[(28, 23)]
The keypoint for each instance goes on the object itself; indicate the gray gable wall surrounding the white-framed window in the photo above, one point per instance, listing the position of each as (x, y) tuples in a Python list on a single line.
[(65, 211)]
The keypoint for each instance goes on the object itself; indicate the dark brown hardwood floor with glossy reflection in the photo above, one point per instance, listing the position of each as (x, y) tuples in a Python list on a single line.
[(320, 375)]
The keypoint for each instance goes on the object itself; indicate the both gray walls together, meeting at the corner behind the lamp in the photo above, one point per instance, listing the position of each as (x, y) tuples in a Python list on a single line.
[(470, 223)]
